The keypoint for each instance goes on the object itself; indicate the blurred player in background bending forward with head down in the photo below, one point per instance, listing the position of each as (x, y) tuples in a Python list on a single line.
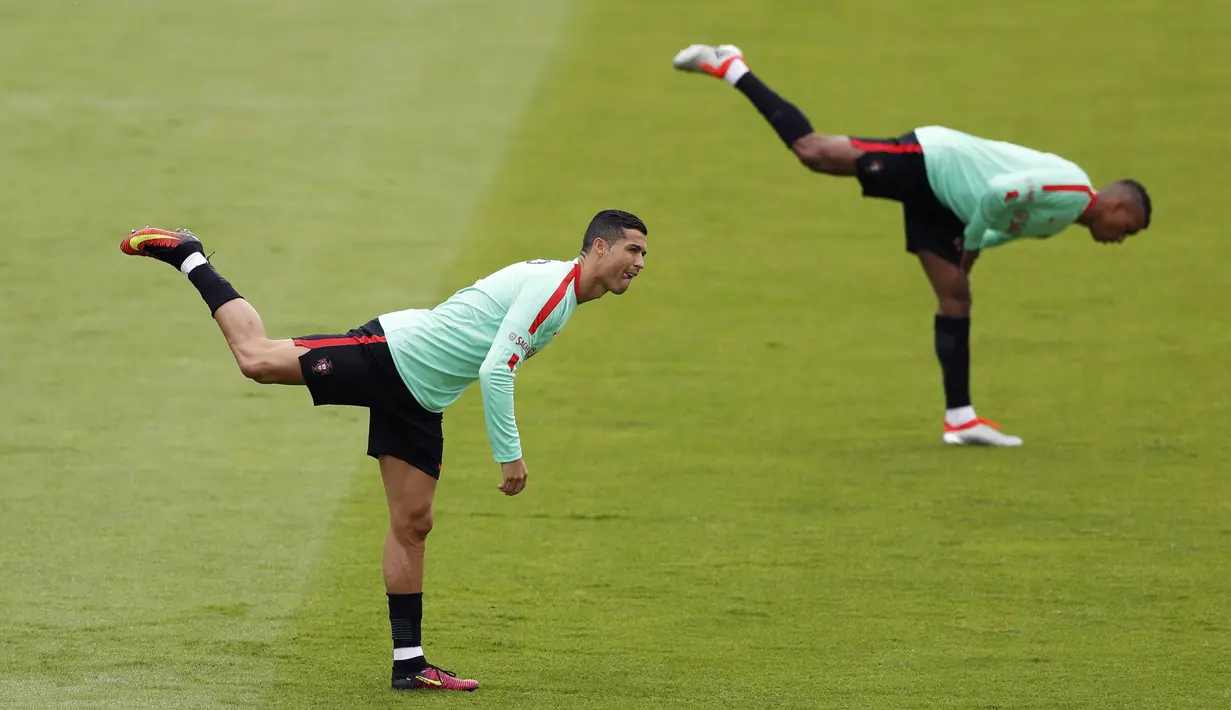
[(960, 195)]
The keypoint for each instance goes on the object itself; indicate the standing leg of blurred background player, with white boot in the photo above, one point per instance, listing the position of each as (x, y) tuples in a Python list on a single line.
[(952, 325)]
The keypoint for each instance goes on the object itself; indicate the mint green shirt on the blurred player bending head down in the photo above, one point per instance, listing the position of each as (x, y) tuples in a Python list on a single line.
[(1003, 191)]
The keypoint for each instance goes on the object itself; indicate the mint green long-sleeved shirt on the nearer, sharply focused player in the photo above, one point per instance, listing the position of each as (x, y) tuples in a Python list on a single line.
[(484, 333)]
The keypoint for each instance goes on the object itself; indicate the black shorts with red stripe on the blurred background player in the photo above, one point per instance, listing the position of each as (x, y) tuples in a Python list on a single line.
[(894, 169)]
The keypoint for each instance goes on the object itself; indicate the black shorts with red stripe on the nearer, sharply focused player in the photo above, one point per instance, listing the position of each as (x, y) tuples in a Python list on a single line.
[(356, 370)]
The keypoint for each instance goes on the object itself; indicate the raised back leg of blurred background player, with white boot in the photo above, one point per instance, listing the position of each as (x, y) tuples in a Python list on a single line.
[(820, 153)]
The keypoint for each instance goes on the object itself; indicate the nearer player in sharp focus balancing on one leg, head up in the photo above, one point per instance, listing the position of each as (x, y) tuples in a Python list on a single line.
[(407, 367)]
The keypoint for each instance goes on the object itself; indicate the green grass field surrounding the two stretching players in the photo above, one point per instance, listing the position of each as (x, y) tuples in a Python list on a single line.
[(738, 494)]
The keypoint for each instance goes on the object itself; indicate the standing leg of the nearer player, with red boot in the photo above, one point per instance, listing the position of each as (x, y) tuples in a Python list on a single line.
[(411, 493)]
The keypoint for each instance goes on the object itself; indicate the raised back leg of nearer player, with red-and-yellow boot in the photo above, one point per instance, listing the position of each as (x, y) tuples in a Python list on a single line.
[(260, 359)]
